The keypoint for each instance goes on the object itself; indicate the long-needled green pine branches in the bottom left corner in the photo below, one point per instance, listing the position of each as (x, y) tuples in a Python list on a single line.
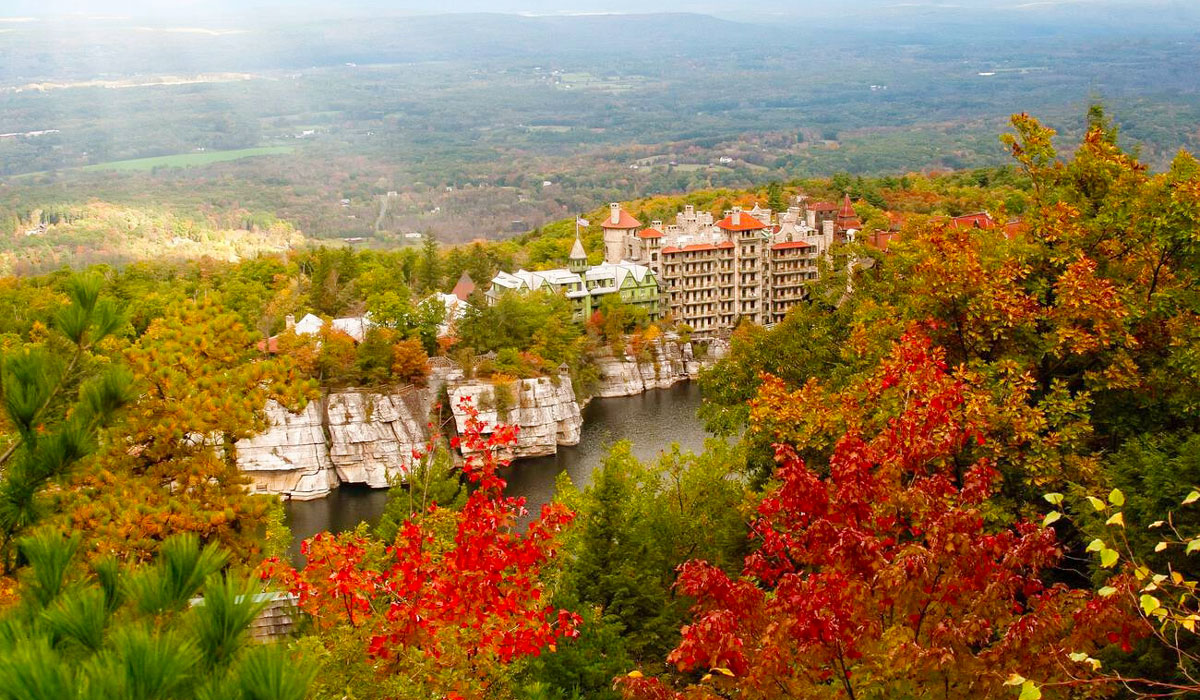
[(67, 641)]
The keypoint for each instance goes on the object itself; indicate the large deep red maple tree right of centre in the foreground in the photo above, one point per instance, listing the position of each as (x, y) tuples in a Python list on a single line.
[(883, 571)]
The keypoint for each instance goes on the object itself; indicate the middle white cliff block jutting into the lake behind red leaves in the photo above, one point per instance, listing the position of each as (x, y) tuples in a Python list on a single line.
[(544, 410)]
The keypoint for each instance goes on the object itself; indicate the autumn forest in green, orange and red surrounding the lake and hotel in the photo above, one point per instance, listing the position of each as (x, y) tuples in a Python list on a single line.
[(965, 470)]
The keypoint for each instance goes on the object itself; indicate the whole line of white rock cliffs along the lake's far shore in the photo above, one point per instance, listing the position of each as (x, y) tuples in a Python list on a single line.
[(364, 438)]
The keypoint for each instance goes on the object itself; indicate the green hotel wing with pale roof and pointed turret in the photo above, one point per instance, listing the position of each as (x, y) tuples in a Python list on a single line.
[(587, 285)]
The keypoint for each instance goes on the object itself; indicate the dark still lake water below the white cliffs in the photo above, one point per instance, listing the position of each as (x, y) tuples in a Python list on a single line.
[(651, 421)]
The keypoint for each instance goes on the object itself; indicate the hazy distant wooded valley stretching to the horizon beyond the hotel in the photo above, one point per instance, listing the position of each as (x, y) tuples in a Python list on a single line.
[(507, 123)]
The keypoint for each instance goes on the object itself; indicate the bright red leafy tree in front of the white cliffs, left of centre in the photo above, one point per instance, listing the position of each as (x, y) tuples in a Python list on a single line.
[(479, 595)]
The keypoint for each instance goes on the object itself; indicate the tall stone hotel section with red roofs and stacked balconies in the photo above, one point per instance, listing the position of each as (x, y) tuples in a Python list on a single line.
[(751, 265)]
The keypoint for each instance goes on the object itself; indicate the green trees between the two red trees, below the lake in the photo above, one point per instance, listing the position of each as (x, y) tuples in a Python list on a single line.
[(637, 523)]
